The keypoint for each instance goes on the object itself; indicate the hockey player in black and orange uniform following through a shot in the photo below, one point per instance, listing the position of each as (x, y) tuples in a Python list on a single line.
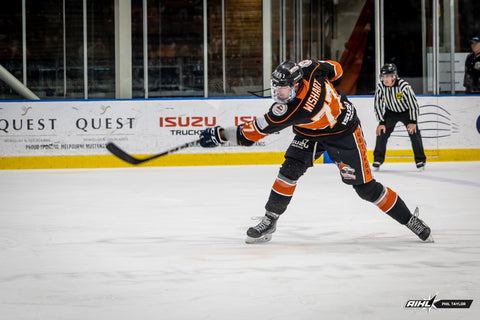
[(323, 120)]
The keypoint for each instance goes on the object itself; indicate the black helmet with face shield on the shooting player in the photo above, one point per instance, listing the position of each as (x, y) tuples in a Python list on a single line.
[(287, 74)]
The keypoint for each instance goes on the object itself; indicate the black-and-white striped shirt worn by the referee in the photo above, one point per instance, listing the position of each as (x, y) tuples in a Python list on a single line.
[(397, 98)]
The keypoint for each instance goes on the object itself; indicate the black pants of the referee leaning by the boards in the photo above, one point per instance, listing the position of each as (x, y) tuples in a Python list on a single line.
[(391, 119)]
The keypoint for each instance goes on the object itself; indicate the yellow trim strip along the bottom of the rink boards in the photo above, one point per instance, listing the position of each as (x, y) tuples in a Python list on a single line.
[(208, 159)]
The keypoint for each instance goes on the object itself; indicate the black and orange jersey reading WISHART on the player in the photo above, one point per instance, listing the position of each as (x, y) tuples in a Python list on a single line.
[(318, 109)]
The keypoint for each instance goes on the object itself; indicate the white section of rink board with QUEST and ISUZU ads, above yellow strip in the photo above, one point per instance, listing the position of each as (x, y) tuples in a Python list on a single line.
[(62, 128)]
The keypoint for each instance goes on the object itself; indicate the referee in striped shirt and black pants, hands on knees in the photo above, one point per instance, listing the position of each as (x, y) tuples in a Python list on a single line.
[(395, 101)]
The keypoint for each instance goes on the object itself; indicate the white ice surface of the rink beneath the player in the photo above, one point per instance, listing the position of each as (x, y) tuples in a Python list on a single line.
[(168, 243)]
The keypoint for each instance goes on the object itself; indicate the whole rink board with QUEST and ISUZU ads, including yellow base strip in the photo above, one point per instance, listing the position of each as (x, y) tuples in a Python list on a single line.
[(73, 134)]
